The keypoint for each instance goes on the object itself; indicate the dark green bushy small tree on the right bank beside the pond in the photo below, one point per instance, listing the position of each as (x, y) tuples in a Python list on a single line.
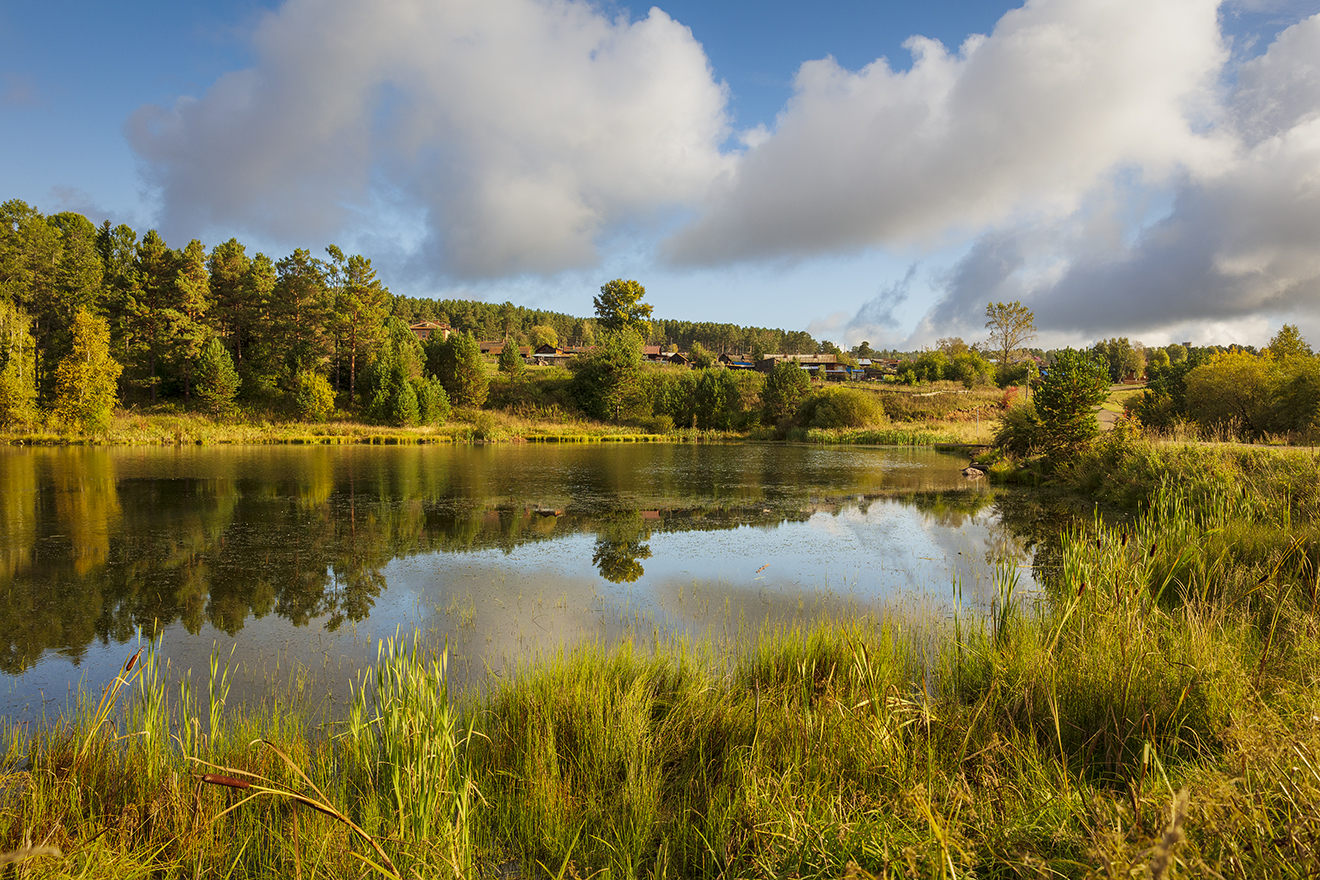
[(1067, 399)]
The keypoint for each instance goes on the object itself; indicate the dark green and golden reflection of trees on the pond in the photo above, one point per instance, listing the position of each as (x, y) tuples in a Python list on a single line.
[(97, 546)]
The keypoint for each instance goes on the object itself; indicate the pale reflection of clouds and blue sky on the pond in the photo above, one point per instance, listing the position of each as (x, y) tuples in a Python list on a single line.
[(497, 608)]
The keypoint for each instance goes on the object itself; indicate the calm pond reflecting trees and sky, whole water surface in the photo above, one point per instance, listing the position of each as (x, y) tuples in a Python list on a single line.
[(296, 560)]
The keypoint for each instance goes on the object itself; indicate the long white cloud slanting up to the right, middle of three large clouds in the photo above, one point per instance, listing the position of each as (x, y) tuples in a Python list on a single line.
[(1024, 122)]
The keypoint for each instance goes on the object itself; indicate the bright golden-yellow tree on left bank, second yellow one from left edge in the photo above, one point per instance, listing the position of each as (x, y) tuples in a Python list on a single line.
[(86, 381)]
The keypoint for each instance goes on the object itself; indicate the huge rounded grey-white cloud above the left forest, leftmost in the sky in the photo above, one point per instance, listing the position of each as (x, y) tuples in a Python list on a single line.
[(522, 131)]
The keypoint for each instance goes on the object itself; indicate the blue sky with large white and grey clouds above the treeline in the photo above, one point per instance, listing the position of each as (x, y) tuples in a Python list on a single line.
[(865, 171)]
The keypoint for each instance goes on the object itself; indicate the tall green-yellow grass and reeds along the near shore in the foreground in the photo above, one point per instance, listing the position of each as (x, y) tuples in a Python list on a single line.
[(1157, 712)]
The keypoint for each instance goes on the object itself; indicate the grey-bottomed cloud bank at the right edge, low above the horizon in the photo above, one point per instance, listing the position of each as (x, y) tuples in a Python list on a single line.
[(1240, 243)]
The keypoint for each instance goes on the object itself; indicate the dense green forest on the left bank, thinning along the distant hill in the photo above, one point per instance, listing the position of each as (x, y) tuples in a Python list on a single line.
[(168, 316)]
